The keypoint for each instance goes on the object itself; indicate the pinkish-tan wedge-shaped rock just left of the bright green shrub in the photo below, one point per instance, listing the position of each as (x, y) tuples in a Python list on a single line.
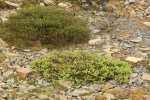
[(23, 72)]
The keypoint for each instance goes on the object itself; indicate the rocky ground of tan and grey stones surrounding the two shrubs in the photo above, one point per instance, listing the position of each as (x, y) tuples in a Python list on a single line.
[(122, 36)]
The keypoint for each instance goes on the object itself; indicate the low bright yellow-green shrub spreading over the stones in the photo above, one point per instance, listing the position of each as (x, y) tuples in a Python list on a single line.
[(81, 67)]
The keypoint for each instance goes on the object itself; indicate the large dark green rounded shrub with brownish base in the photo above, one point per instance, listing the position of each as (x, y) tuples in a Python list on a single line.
[(49, 25)]
